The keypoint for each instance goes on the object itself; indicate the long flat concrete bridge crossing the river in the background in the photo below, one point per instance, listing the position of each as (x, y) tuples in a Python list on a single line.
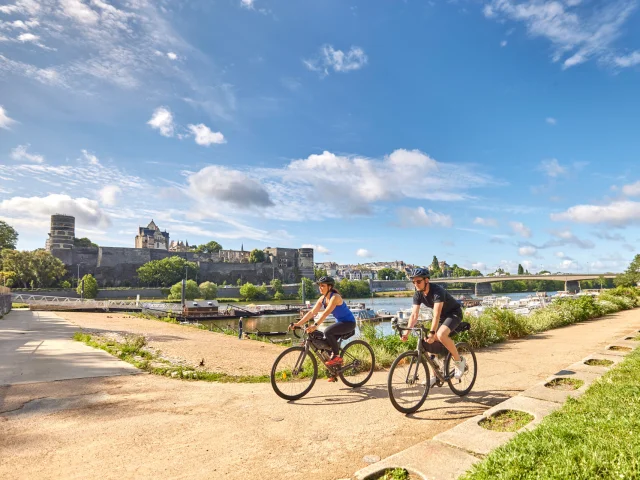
[(482, 285)]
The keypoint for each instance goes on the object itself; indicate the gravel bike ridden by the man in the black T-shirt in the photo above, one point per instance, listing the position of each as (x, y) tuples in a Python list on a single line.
[(409, 379)]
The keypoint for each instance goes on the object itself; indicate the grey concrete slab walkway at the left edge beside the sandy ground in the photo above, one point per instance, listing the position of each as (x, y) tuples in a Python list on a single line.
[(39, 347)]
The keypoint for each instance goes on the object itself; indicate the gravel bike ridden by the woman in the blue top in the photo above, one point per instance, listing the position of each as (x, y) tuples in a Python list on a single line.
[(296, 369)]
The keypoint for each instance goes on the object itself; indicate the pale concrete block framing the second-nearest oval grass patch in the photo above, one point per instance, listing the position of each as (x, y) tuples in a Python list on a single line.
[(472, 437)]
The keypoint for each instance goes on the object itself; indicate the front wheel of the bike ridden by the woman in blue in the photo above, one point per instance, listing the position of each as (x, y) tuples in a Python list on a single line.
[(293, 373)]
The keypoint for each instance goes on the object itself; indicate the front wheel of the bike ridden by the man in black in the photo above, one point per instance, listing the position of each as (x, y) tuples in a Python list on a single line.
[(408, 382)]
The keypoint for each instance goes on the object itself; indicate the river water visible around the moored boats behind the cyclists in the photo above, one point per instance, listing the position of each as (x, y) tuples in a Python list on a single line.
[(279, 323)]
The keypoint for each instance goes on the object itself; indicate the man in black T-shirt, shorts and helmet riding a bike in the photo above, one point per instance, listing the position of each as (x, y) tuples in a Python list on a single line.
[(444, 307)]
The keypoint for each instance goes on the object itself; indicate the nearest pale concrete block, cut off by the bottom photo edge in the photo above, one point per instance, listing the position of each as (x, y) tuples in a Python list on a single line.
[(429, 460)]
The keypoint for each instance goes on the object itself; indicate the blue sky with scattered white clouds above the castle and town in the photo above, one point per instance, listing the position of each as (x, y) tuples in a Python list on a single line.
[(488, 133)]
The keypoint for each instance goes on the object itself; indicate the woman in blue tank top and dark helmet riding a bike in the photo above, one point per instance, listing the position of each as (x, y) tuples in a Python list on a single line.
[(332, 302)]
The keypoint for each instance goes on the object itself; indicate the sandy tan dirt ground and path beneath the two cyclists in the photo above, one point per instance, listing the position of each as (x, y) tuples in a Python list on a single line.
[(149, 426)]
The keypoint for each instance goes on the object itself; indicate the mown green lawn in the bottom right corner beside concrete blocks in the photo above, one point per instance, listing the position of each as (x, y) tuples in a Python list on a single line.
[(595, 436)]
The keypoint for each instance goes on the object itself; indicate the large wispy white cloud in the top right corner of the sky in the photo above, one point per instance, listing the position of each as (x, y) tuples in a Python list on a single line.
[(577, 33)]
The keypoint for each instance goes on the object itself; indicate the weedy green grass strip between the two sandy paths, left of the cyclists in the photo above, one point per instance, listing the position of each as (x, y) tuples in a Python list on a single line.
[(132, 351)]
